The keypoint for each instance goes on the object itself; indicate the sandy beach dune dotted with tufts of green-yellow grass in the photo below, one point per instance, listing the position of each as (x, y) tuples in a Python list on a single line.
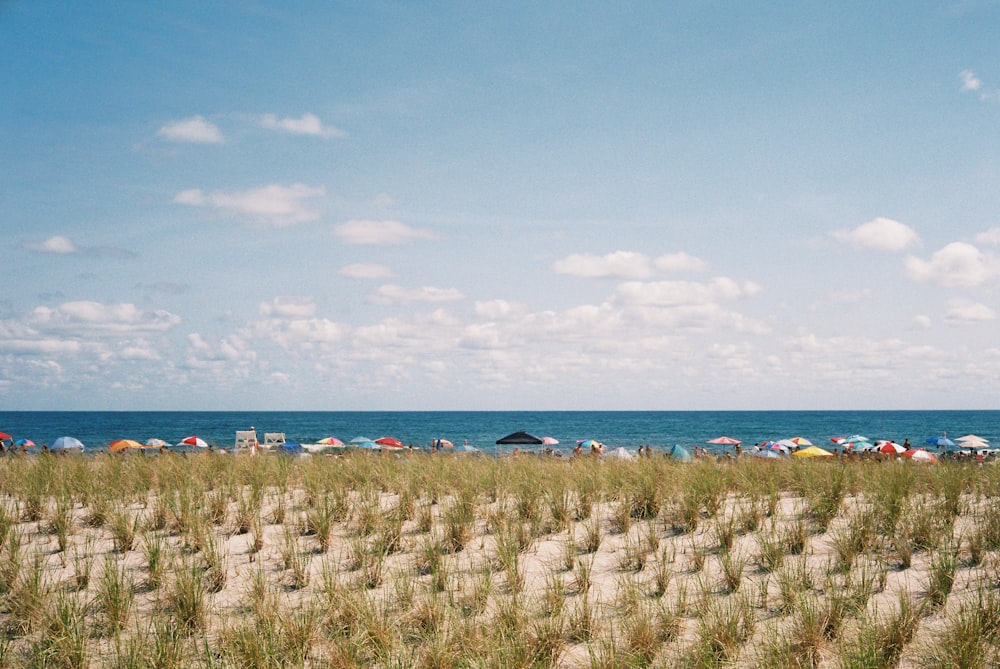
[(369, 560)]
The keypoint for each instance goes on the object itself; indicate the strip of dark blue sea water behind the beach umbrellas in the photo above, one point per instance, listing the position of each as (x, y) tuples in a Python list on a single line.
[(631, 429)]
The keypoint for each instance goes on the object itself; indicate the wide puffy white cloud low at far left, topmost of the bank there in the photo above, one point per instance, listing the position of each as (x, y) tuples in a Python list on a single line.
[(96, 319)]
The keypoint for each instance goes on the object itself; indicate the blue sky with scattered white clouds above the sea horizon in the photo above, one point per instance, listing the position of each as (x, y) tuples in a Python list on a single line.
[(474, 206)]
